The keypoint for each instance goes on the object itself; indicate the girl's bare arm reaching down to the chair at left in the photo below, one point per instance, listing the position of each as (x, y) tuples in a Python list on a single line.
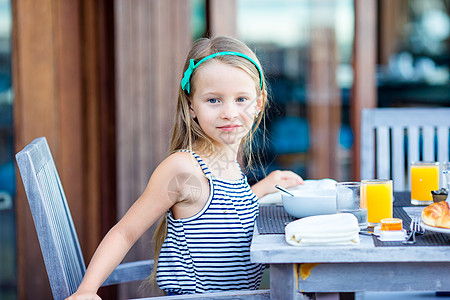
[(152, 204)]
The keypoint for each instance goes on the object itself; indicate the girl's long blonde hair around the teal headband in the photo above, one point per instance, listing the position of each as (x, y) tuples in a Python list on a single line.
[(187, 133)]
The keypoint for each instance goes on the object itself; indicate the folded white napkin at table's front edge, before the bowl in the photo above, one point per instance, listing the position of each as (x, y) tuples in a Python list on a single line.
[(335, 229)]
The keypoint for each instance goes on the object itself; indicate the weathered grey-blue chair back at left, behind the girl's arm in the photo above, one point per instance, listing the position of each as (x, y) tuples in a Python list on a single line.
[(52, 218)]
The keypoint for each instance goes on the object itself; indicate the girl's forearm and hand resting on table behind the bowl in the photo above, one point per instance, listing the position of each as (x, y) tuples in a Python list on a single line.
[(267, 185)]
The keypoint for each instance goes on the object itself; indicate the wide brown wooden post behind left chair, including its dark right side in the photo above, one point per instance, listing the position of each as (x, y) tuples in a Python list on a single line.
[(60, 71)]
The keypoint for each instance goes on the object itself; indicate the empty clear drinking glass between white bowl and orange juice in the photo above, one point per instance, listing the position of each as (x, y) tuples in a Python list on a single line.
[(351, 198)]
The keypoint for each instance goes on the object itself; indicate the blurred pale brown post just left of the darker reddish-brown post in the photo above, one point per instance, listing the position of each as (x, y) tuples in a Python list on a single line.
[(323, 105)]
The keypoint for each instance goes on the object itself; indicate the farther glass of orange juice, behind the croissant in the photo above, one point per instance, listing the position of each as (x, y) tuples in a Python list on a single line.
[(424, 179)]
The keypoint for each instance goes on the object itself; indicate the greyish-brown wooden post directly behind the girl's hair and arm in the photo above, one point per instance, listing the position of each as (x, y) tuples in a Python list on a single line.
[(152, 41)]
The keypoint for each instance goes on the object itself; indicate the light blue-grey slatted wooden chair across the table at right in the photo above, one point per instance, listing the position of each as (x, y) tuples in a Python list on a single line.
[(391, 138)]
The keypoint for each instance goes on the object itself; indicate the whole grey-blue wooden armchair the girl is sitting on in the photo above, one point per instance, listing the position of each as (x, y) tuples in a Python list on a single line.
[(59, 241)]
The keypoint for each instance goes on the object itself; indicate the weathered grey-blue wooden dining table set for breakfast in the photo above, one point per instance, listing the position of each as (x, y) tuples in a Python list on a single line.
[(371, 265)]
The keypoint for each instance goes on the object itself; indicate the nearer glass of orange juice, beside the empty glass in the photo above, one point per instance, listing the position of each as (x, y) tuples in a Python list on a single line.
[(379, 198)]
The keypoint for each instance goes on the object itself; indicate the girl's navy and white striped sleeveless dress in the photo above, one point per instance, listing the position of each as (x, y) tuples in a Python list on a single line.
[(210, 251)]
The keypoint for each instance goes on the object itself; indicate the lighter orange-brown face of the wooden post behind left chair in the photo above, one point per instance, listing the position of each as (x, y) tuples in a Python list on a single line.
[(47, 102)]
